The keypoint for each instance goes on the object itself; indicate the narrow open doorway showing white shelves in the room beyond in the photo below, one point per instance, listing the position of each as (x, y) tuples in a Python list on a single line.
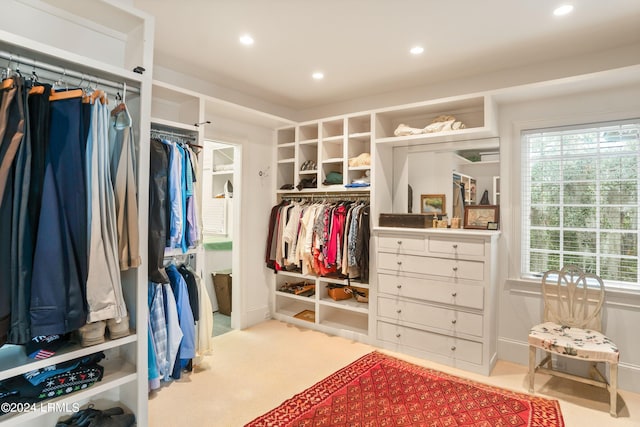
[(220, 166)]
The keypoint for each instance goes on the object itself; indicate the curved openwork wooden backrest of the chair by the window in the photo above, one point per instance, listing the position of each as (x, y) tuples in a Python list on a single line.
[(573, 298)]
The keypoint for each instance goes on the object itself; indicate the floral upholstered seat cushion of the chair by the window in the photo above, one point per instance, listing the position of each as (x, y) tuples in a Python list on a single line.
[(576, 342)]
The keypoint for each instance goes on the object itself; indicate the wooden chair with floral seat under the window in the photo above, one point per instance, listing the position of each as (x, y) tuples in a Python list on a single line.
[(572, 315)]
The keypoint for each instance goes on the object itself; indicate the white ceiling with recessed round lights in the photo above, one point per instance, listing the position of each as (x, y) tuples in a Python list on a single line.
[(362, 46)]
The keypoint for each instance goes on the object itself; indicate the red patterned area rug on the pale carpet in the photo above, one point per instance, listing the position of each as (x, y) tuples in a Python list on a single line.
[(380, 390)]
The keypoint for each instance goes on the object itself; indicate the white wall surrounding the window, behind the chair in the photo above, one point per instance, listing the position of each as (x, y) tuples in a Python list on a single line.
[(520, 303)]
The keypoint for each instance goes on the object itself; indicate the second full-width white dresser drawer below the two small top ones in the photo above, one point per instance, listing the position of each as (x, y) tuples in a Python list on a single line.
[(457, 294)]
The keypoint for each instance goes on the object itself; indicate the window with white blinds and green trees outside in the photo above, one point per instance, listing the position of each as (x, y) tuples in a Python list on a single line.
[(580, 200)]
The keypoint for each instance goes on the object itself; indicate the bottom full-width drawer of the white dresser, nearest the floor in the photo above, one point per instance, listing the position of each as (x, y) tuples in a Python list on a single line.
[(448, 346)]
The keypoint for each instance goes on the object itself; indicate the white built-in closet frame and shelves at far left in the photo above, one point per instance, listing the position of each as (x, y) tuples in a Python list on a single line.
[(125, 39)]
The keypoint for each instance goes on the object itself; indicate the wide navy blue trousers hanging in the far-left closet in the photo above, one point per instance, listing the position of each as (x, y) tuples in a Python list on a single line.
[(58, 303)]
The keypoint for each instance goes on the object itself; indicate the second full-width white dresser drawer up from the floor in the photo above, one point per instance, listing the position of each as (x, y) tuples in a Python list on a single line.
[(448, 320)]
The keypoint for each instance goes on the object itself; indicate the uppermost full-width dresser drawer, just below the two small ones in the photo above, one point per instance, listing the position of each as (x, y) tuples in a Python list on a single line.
[(459, 269)]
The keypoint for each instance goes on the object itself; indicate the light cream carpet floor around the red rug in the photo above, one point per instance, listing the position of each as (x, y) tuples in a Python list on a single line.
[(254, 370)]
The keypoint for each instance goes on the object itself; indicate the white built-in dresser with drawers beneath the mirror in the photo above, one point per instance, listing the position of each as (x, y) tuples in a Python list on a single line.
[(436, 295)]
